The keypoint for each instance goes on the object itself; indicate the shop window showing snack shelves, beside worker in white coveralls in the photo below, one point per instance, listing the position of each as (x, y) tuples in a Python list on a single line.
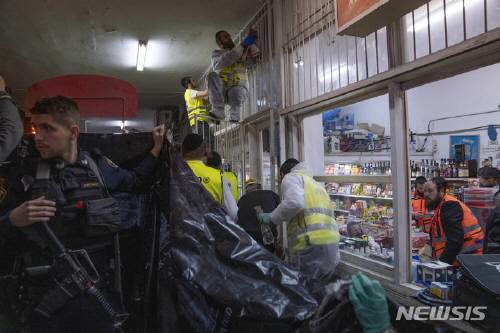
[(353, 159)]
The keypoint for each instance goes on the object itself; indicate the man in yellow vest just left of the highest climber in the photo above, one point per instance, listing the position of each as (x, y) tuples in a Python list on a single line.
[(196, 107)]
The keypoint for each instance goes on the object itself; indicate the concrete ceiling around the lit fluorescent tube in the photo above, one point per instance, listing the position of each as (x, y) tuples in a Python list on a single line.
[(40, 39)]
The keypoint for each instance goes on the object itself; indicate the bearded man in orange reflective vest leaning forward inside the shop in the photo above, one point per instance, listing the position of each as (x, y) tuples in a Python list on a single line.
[(454, 230)]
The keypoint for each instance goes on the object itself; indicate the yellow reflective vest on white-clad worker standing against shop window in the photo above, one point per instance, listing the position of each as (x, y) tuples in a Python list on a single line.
[(315, 225)]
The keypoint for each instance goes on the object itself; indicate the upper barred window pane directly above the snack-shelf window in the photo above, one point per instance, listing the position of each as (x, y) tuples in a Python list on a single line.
[(317, 60)]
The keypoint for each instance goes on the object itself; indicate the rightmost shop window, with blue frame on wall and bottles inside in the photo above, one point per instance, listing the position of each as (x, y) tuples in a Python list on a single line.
[(453, 125)]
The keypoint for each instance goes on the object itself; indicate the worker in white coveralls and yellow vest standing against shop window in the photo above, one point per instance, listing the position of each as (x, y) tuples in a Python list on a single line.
[(312, 232)]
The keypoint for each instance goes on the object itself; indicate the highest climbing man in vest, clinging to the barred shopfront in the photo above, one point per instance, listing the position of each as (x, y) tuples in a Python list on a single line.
[(228, 81)]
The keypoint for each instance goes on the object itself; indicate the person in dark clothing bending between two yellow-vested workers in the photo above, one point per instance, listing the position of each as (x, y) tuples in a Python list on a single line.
[(254, 197)]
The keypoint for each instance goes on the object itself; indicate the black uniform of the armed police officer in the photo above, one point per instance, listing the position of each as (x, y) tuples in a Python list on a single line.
[(87, 218)]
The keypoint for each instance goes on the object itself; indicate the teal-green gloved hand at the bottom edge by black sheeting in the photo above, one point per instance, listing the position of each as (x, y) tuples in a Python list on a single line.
[(369, 302)]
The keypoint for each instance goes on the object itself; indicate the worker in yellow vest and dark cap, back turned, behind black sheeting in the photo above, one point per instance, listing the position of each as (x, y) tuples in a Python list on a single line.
[(194, 152)]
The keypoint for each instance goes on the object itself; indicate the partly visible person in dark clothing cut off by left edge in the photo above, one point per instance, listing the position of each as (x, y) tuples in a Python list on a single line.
[(11, 127)]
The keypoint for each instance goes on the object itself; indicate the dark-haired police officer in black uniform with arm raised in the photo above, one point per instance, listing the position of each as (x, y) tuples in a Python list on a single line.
[(80, 209)]
